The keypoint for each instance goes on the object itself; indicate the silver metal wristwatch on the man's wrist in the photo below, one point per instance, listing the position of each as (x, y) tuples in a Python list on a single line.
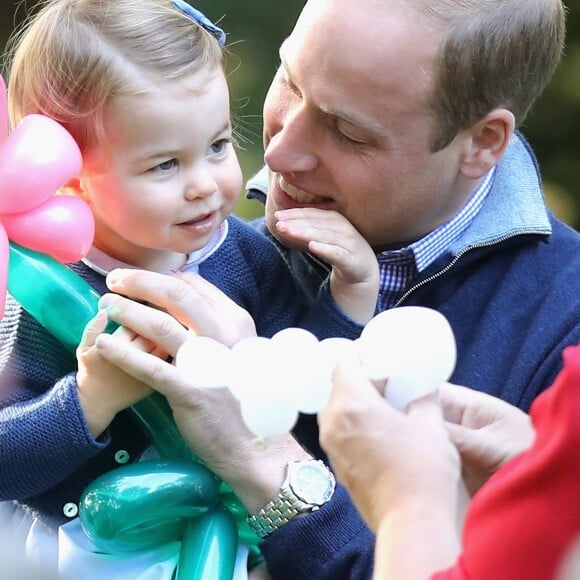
[(308, 485)]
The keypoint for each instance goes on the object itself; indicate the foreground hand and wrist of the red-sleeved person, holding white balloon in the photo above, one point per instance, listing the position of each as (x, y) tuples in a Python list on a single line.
[(402, 471)]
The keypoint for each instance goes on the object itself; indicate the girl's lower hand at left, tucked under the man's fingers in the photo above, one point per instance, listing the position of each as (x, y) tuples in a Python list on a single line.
[(103, 388)]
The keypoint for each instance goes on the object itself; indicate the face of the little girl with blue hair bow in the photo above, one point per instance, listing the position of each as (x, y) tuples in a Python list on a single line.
[(166, 175)]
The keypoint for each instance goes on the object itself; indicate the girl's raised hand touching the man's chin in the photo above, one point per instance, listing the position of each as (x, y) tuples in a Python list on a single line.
[(354, 281)]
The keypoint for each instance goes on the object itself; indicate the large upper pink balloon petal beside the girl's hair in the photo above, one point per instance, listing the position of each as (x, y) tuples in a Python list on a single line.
[(38, 158)]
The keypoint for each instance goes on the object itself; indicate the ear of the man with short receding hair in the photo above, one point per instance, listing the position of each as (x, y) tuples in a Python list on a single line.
[(490, 138)]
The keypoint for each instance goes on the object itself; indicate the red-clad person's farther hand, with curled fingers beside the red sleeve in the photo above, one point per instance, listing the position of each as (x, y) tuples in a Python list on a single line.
[(487, 431)]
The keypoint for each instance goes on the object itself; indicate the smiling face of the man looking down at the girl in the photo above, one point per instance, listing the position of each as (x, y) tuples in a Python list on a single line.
[(347, 123)]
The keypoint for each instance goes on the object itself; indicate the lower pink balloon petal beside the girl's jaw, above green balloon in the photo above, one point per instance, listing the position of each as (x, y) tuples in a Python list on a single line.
[(62, 227)]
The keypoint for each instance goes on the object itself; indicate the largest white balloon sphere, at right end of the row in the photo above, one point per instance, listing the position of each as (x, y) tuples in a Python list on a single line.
[(414, 347)]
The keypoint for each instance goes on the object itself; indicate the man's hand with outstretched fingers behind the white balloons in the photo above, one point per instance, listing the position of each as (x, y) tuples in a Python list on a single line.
[(209, 420)]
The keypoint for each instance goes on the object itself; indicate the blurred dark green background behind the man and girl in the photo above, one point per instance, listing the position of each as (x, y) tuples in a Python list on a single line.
[(255, 29)]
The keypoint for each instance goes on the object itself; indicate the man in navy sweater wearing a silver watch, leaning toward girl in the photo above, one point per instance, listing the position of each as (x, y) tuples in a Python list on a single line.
[(401, 115)]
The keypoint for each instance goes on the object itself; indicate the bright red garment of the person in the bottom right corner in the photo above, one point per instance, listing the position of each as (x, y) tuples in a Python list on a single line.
[(523, 521)]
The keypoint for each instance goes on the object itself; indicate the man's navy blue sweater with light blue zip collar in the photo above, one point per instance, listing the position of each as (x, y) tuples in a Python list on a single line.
[(510, 288)]
